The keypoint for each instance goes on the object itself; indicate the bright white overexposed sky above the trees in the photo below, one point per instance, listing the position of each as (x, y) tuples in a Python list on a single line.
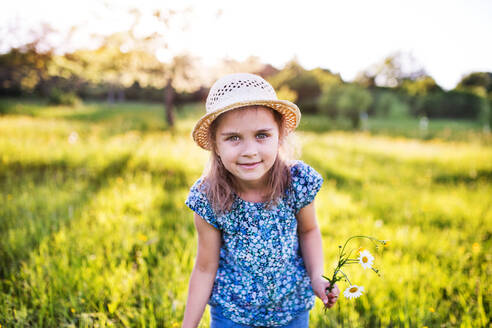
[(449, 38)]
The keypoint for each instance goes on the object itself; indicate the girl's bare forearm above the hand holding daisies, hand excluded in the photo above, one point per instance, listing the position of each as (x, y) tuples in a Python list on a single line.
[(312, 252)]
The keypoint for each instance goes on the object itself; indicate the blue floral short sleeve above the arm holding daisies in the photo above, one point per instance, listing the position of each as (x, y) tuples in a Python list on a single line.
[(306, 183)]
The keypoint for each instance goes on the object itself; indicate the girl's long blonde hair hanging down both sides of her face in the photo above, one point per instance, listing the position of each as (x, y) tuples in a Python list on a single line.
[(221, 186)]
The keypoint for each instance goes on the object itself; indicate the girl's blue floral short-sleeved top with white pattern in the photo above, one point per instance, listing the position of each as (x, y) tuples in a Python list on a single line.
[(261, 279)]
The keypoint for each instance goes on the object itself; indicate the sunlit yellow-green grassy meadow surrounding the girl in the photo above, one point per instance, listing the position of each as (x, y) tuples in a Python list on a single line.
[(95, 233)]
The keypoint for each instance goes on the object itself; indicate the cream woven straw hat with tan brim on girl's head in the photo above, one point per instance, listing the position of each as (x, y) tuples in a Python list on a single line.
[(238, 90)]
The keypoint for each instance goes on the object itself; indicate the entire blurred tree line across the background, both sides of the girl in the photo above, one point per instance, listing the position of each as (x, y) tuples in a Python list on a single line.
[(108, 72)]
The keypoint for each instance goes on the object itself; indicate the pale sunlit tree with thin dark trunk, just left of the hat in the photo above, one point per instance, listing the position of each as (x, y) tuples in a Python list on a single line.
[(130, 56)]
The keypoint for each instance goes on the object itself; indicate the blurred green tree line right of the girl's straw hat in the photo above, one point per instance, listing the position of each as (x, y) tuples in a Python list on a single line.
[(410, 94)]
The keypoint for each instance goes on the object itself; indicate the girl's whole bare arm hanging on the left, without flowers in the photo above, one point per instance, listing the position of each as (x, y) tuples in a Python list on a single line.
[(203, 274)]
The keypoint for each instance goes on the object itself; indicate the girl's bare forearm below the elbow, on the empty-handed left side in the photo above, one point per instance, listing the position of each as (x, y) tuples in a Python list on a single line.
[(200, 288)]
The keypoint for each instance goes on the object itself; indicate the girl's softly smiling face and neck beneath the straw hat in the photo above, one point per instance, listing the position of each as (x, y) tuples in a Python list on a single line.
[(247, 142)]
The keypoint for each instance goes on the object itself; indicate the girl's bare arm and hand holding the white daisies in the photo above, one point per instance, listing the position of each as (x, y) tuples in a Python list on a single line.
[(312, 253)]
